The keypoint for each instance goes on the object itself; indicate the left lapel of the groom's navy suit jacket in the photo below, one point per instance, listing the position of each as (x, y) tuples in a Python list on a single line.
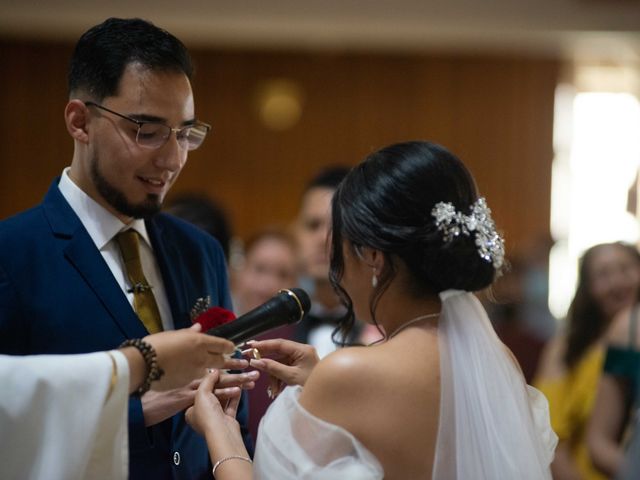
[(82, 253)]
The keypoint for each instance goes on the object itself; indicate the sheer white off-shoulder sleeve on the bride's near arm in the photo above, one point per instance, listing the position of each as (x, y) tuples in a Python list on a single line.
[(293, 444)]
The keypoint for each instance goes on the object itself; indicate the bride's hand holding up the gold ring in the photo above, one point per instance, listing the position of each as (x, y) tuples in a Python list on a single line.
[(291, 364)]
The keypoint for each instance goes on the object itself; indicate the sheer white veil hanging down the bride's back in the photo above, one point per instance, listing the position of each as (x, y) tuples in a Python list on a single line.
[(492, 424)]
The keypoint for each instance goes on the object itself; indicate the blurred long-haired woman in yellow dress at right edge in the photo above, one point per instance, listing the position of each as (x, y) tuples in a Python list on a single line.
[(608, 283)]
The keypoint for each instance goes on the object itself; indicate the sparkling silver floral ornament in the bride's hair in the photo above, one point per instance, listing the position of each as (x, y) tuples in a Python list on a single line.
[(453, 223)]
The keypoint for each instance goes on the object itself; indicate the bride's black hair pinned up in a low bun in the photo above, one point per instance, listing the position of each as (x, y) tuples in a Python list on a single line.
[(386, 203)]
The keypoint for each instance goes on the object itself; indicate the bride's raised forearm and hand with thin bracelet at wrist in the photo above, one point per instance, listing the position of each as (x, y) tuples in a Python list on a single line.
[(221, 430)]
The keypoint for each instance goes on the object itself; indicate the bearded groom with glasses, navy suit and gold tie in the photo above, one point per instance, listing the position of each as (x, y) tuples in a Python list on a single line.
[(96, 263)]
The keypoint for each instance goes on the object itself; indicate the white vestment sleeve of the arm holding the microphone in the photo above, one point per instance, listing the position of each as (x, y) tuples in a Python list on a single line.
[(60, 417)]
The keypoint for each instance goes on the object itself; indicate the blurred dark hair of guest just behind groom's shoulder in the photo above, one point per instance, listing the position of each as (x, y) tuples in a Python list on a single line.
[(203, 212)]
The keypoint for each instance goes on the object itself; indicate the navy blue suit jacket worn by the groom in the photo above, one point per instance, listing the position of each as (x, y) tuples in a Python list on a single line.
[(57, 295)]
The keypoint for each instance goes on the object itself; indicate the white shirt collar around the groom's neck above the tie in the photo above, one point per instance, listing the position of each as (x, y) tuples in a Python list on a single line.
[(101, 224)]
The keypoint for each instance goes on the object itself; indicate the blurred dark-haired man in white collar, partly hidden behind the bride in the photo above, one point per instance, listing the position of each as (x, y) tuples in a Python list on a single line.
[(312, 232)]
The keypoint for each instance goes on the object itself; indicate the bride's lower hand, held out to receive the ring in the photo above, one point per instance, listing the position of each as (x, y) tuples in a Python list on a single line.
[(207, 413)]
